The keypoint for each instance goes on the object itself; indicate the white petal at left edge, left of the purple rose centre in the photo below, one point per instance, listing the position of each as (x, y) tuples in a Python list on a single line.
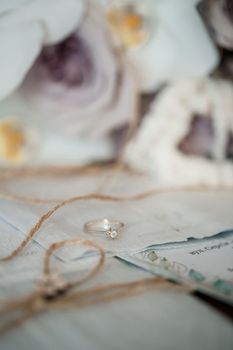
[(20, 46)]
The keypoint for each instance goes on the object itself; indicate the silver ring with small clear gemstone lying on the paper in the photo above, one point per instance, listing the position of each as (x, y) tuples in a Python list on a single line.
[(110, 227)]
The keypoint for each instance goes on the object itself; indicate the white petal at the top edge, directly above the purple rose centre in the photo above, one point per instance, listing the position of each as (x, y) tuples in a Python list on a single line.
[(58, 17)]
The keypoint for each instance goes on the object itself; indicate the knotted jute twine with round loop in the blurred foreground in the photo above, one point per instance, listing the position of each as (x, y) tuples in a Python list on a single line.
[(53, 292)]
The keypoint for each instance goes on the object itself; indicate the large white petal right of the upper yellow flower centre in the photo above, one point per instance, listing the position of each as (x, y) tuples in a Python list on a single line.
[(180, 46)]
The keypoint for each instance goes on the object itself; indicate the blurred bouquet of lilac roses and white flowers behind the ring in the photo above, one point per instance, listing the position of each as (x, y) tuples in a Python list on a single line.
[(76, 74)]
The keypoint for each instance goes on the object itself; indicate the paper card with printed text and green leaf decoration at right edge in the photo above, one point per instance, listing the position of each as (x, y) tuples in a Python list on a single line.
[(207, 265)]
